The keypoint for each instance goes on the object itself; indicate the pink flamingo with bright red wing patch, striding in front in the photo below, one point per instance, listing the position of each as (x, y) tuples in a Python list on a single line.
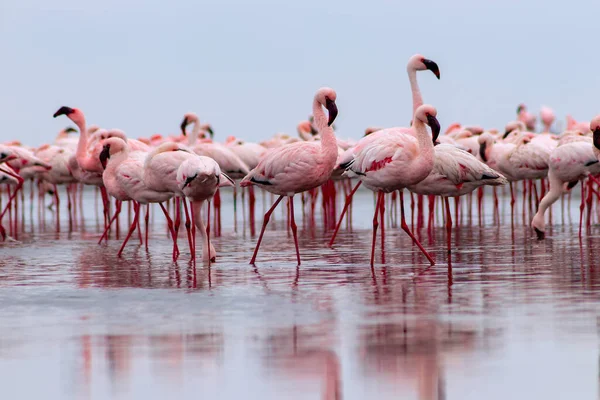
[(393, 159)]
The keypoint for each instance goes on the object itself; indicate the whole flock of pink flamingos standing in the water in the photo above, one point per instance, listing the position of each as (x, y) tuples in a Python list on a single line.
[(190, 168)]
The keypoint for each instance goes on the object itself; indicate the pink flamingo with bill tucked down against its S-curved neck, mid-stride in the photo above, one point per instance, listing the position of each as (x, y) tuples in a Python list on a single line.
[(298, 167)]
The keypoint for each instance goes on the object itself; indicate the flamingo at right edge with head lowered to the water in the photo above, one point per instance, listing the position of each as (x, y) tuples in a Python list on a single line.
[(569, 163)]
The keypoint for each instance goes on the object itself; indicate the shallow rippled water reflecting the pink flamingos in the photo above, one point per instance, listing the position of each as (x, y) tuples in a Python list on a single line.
[(509, 318)]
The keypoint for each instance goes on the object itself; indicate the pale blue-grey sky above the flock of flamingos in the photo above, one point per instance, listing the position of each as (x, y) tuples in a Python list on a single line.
[(251, 67)]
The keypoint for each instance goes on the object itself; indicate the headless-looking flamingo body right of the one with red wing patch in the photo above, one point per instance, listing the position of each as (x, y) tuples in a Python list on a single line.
[(455, 173)]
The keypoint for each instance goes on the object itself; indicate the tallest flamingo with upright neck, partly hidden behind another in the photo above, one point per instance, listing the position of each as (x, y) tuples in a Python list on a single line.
[(415, 63)]
